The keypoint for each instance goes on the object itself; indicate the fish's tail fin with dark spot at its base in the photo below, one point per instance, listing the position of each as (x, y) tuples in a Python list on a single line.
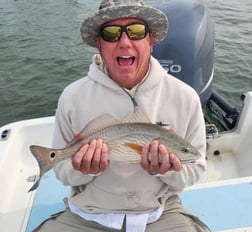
[(44, 157)]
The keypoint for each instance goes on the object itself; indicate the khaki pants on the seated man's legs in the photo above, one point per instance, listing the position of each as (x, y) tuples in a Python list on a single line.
[(174, 218)]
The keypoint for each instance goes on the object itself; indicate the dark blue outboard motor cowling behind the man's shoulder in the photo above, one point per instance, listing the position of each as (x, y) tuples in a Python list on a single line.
[(187, 52)]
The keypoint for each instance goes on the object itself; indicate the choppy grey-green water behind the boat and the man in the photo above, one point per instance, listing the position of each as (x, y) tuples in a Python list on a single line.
[(41, 52)]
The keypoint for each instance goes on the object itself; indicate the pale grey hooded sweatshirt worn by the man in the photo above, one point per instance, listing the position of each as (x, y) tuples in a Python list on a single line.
[(128, 188)]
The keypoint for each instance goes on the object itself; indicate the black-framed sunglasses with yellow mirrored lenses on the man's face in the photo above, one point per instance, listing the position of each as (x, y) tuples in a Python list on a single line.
[(134, 32)]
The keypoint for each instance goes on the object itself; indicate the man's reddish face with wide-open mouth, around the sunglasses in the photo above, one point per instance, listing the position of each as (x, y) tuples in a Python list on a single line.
[(127, 60)]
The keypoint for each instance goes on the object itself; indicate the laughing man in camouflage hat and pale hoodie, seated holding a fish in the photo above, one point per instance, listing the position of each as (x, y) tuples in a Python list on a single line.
[(107, 196)]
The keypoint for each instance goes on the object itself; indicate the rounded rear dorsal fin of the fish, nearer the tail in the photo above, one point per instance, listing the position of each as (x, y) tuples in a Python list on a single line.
[(99, 123)]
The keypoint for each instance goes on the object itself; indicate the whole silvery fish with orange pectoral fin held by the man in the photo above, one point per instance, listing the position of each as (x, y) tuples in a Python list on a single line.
[(125, 140)]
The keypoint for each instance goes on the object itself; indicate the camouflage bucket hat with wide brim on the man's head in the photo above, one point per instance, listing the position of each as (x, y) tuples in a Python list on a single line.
[(114, 9)]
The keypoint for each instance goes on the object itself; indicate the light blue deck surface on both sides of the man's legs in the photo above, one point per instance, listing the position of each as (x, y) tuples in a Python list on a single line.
[(222, 206)]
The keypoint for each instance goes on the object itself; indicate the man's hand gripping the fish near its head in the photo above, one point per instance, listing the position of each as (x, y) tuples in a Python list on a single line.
[(156, 159)]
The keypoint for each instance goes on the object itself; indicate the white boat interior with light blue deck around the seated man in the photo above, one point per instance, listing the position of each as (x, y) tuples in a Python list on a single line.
[(224, 202)]
